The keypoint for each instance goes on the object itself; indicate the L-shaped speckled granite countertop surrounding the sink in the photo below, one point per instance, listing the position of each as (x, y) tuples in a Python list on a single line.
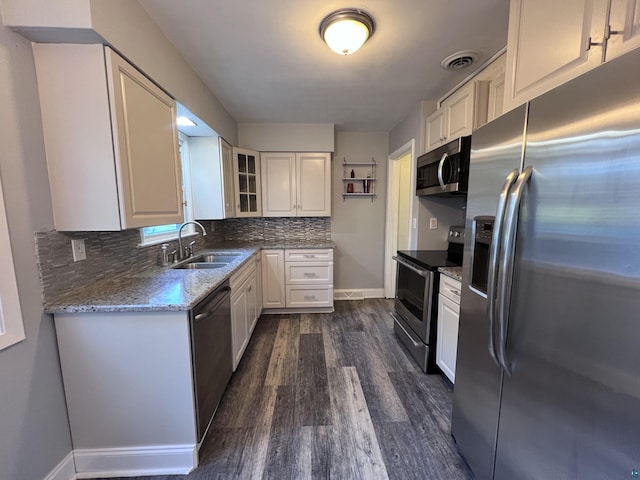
[(162, 288)]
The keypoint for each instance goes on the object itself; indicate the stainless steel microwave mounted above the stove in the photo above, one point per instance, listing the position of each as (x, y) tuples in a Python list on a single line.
[(444, 171)]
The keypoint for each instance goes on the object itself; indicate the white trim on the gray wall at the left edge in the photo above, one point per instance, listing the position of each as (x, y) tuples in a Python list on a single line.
[(11, 326)]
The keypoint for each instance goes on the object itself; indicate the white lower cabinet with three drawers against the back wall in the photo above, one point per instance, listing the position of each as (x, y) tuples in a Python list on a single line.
[(300, 279)]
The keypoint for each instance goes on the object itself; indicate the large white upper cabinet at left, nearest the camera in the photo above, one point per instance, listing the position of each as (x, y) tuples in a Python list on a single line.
[(111, 141)]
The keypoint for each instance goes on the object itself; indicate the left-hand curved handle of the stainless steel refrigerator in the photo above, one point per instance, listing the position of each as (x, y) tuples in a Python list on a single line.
[(494, 252)]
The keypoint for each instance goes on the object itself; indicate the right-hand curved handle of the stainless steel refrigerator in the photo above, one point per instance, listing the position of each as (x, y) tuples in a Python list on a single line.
[(506, 263)]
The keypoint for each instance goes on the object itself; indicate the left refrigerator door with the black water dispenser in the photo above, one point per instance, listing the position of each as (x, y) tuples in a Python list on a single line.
[(496, 149)]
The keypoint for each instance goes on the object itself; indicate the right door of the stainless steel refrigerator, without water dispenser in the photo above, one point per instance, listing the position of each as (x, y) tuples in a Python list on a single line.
[(571, 407)]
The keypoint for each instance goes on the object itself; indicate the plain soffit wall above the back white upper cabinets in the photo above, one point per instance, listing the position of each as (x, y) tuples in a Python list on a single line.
[(287, 137)]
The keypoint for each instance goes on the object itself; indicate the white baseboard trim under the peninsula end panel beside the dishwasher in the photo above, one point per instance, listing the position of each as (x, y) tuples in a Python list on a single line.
[(135, 461)]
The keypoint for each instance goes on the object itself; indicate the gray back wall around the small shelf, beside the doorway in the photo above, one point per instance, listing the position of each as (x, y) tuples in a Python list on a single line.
[(358, 224)]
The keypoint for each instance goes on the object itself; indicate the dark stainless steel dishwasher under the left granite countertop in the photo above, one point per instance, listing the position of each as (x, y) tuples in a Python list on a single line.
[(211, 351)]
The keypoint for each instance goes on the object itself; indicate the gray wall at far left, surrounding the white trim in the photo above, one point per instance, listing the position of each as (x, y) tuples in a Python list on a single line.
[(34, 432)]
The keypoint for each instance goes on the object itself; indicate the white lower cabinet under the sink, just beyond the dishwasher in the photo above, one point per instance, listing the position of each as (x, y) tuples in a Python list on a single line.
[(244, 308)]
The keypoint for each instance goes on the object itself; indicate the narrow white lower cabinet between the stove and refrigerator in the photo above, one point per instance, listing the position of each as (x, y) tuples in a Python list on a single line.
[(448, 321)]
